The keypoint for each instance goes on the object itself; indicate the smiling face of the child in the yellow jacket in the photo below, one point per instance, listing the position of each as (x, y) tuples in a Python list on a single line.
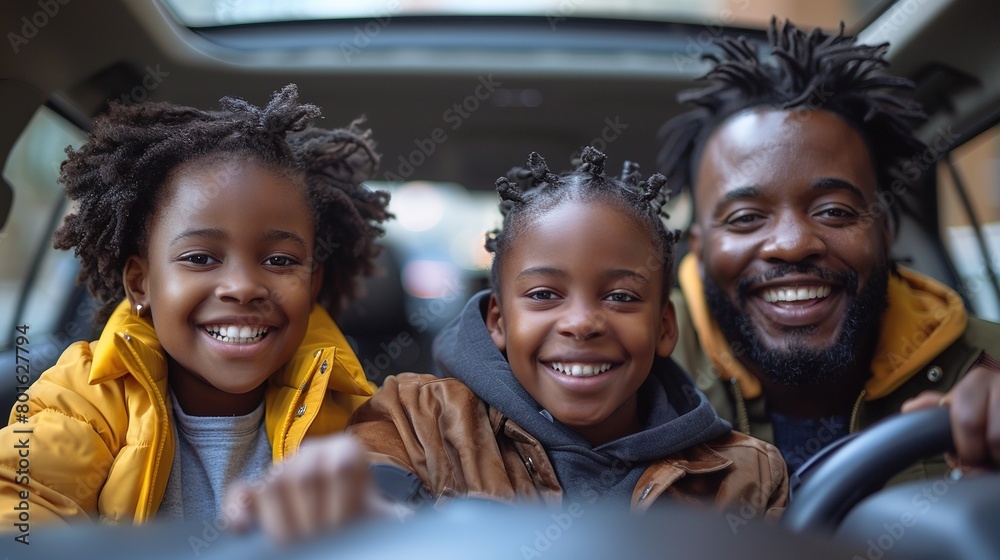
[(227, 276)]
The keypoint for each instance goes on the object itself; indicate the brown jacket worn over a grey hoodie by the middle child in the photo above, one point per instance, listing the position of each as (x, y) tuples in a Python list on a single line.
[(459, 446)]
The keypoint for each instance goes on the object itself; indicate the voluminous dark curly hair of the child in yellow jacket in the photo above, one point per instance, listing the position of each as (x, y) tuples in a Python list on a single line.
[(117, 179)]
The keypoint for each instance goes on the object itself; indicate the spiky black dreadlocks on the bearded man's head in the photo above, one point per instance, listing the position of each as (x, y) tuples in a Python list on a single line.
[(808, 71)]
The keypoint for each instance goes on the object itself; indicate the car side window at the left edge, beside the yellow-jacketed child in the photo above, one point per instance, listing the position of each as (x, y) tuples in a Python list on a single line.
[(35, 278)]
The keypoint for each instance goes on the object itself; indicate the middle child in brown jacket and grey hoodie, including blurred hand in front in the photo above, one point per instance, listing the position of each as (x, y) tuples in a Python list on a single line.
[(560, 388)]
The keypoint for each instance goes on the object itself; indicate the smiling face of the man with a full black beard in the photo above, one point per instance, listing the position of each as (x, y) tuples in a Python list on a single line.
[(794, 261)]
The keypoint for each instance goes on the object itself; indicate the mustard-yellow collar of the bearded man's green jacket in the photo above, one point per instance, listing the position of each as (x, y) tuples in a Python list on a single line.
[(923, 318)]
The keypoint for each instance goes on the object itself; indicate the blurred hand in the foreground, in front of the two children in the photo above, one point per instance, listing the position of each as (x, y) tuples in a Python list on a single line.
[(325, 486)]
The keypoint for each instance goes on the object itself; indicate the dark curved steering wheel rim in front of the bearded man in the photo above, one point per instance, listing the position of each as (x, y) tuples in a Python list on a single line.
[(843, 474)]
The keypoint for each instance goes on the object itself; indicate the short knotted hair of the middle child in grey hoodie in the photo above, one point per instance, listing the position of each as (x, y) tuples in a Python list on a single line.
[(528, 192)]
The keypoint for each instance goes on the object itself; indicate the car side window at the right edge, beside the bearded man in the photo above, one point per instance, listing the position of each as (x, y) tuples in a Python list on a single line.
[(970, 222)]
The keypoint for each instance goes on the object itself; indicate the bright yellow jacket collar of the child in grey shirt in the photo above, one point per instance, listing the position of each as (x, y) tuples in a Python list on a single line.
[(127, 338)]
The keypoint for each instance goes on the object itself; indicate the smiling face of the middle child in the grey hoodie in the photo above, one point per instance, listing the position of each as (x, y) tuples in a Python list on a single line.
[(581, 315)]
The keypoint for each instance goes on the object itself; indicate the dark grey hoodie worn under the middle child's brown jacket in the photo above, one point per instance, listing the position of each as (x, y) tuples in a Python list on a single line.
[(679, 415)]
